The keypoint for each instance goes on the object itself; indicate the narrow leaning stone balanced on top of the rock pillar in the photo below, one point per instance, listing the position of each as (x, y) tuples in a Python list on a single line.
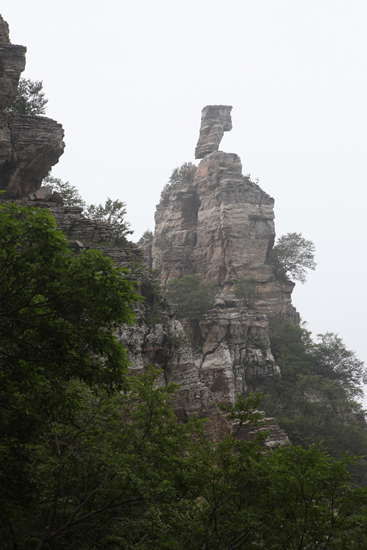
[(215, 120)]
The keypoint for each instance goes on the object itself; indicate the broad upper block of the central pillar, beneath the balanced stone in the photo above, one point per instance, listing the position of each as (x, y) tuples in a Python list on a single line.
[(220, 226)]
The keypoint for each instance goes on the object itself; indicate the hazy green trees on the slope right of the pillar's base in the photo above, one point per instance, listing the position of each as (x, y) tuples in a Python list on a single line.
[(314, 399)]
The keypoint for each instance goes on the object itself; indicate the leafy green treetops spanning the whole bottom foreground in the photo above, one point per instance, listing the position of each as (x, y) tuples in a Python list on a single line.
[(158, 483)]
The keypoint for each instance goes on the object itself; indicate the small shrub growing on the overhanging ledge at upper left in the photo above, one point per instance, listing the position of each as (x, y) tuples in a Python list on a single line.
[(30, 98)]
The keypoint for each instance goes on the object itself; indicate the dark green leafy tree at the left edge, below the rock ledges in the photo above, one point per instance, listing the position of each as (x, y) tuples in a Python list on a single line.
[(57, 322)]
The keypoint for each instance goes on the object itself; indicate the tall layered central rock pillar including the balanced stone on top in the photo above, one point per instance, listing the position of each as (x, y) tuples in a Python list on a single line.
[(219, 225)]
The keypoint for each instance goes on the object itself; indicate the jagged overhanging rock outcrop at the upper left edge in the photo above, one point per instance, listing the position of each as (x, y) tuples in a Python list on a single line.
[(29, 145)]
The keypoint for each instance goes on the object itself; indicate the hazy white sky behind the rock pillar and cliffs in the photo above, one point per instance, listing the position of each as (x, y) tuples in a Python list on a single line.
[(128, 79)]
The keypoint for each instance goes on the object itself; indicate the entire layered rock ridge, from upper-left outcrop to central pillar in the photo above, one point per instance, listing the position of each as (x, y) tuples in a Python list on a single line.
[(234, 338)]
